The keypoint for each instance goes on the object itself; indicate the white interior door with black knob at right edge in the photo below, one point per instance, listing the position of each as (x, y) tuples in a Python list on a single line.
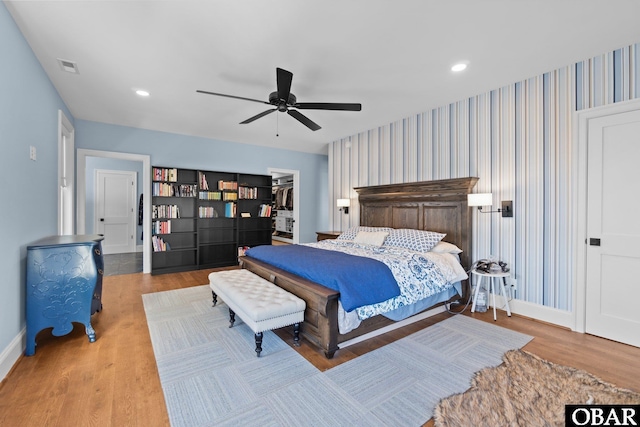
[(613, 228)]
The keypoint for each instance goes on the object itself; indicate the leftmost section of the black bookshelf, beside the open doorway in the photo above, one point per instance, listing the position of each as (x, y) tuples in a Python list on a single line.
[(173, 223)]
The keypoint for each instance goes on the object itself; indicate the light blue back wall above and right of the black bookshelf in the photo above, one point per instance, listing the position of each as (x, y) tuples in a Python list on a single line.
[(182, 151)]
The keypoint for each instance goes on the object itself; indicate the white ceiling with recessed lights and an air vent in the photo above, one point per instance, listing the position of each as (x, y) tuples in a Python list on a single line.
[(394, 57)]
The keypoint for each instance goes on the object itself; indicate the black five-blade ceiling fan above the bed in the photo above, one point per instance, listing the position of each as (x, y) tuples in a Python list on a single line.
[(283, 100)]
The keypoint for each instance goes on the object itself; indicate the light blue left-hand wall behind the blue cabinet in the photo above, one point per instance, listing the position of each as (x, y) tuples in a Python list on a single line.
[(29, 107)]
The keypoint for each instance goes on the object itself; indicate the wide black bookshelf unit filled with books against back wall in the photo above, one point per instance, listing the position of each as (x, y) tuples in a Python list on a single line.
[(201, 218)]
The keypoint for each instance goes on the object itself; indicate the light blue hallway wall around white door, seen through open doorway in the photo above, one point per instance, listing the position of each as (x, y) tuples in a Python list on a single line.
[(95, 163)]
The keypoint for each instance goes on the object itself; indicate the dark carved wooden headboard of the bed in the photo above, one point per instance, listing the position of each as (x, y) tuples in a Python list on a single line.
[(428, 205)]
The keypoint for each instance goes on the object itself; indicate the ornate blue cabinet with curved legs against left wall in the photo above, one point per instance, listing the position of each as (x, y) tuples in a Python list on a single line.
[(64, 285)]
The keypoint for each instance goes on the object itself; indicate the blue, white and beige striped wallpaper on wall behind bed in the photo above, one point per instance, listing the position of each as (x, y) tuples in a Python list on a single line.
[(519, 141)]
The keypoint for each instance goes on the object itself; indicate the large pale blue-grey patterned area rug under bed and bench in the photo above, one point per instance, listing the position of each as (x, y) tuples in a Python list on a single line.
[(210, 374)]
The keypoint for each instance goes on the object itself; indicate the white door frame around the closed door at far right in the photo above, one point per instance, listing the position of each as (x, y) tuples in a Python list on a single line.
[(580, 213)]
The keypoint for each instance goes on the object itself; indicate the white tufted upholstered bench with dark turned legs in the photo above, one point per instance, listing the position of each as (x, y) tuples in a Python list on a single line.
[(262, 305)]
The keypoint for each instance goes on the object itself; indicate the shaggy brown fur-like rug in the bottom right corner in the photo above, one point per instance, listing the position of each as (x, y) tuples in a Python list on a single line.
[(528, 391)]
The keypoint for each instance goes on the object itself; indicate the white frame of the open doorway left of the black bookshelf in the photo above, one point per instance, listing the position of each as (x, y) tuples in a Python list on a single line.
[(81, 170)]
